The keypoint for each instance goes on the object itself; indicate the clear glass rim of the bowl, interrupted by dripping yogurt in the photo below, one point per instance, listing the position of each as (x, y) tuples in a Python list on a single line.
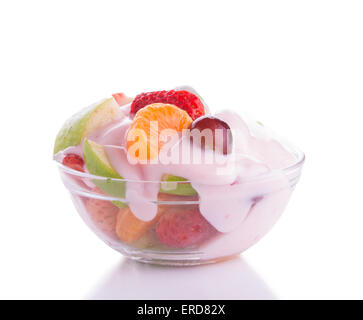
[(299, 155)]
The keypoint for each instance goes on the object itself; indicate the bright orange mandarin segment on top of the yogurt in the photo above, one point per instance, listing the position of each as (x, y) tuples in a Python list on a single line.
[(143, 136)]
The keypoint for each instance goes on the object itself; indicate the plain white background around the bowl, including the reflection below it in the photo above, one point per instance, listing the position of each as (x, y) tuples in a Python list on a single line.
[(297, 66)]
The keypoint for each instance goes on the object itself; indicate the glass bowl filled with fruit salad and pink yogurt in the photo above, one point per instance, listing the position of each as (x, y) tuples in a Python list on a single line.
[(160, 178)]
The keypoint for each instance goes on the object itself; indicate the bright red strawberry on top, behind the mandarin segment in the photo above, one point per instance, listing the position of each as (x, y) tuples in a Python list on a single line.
[(182, 99)]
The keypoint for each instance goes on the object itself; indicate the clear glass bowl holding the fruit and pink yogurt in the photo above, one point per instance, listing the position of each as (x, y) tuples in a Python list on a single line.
[(104, 215)]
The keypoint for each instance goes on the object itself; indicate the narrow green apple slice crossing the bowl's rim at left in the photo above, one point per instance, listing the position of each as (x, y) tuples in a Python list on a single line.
[(98, 164)]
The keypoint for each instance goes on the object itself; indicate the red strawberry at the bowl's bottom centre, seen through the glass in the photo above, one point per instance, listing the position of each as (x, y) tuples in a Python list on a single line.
[(183, 227)]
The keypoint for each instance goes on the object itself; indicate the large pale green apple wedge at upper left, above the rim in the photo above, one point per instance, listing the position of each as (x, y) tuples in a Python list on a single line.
[(85, 122)]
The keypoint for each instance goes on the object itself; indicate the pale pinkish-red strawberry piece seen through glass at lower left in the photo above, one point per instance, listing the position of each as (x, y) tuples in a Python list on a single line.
[(103, 213)]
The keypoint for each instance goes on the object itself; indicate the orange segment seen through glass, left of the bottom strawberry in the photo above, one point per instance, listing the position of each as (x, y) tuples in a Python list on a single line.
[(129, 228)]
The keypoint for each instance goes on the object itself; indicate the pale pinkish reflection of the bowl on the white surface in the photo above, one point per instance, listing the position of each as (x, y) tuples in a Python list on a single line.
[(233, 279)]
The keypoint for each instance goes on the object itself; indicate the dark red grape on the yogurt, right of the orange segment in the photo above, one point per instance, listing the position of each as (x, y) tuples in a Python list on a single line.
[(221, 141)]
